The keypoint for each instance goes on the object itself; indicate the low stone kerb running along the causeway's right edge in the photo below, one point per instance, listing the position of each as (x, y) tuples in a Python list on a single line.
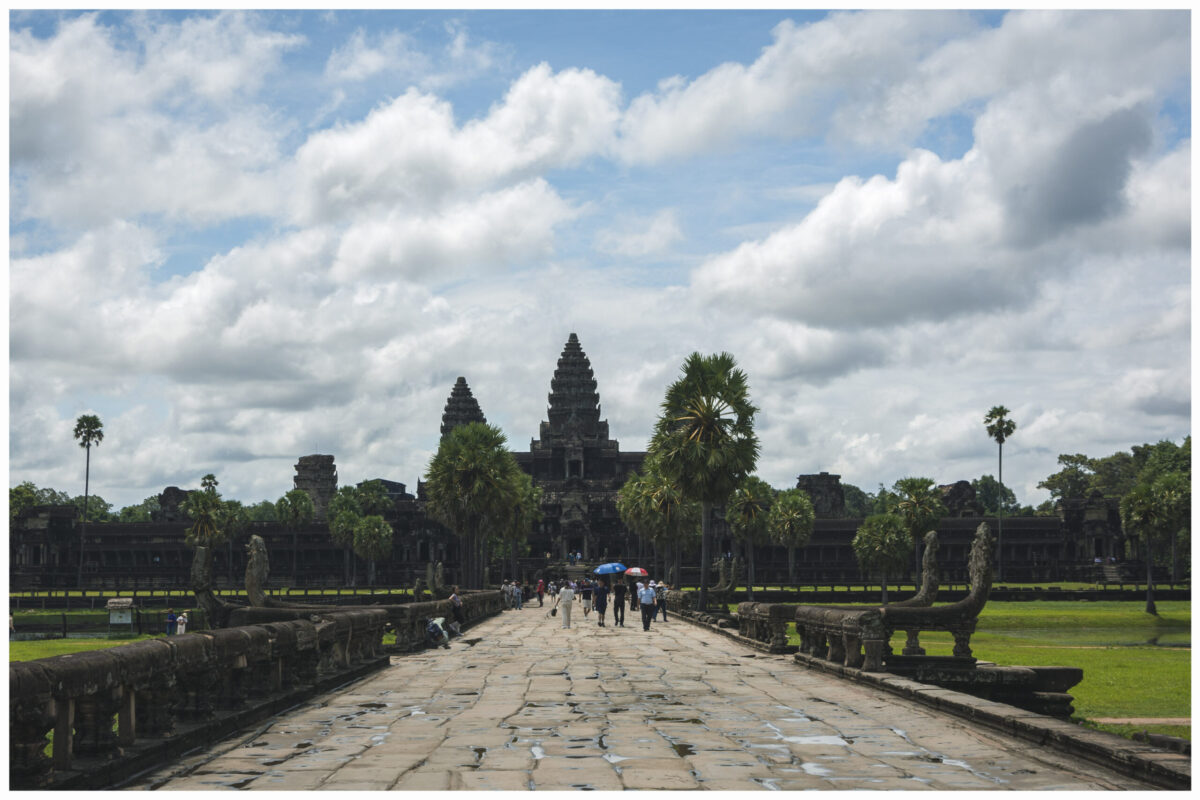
[(1144, 762)]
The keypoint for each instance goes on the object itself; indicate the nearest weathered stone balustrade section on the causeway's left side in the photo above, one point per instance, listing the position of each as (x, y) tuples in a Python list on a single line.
[(110, 711)]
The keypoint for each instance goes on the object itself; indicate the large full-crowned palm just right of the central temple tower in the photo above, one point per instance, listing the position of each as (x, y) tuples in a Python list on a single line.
[(705, 440)]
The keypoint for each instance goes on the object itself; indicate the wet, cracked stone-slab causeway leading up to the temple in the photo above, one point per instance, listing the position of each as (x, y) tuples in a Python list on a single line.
[(535, 707)]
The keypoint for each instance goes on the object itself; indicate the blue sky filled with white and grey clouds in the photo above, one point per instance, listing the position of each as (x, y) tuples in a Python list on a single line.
[(243, 238)]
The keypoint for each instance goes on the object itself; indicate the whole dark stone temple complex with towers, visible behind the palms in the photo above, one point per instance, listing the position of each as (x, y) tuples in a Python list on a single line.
[(580, 468)]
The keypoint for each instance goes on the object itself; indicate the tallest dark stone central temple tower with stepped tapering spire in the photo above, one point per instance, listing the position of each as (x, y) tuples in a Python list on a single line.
[(578, 466)]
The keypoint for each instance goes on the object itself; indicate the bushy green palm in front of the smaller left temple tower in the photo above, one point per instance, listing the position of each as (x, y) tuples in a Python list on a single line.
[(470, 486)]
